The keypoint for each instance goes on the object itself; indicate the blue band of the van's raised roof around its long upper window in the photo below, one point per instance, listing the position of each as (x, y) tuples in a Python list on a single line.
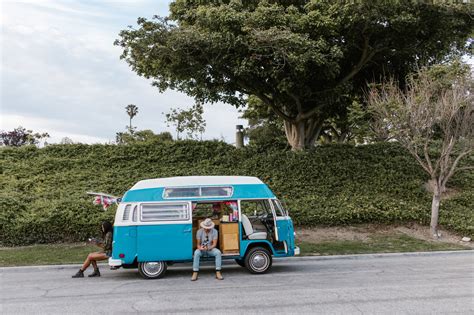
[(249, 191)]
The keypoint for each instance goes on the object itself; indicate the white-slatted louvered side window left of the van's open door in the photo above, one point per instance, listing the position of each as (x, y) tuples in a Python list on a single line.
[(165, 212)]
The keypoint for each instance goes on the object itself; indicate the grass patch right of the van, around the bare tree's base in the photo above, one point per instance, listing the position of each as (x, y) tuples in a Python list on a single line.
[(375, 244)]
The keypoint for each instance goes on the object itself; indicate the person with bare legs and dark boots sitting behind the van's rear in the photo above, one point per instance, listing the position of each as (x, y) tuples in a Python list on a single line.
[(92, 258)]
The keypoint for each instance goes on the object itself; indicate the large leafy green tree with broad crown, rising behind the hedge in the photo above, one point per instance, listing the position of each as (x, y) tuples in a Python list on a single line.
[(303, 59)]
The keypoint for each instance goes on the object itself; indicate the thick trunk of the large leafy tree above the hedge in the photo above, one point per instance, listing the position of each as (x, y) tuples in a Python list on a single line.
[(303, 134)]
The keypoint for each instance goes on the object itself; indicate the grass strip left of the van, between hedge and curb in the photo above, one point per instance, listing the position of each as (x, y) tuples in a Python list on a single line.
[(56, 254)]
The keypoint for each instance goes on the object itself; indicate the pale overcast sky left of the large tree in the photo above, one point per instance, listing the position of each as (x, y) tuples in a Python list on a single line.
[(61, 73)]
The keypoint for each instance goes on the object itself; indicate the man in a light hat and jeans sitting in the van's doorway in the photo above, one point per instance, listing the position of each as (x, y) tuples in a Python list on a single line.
[(206, 238)]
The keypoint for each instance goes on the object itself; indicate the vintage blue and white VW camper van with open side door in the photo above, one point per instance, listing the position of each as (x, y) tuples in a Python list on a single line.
[(157, 219)]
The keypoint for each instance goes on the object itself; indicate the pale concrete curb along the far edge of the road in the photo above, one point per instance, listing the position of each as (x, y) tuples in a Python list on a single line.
[(464, 252)]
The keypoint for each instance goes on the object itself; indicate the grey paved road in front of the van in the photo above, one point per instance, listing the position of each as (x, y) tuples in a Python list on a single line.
[(426, 284)]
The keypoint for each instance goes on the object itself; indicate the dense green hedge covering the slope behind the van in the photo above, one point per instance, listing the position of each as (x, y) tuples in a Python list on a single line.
[(43, 196)]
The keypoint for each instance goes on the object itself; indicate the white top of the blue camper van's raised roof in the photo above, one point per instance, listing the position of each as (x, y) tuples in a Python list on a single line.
[(196, 181)]
